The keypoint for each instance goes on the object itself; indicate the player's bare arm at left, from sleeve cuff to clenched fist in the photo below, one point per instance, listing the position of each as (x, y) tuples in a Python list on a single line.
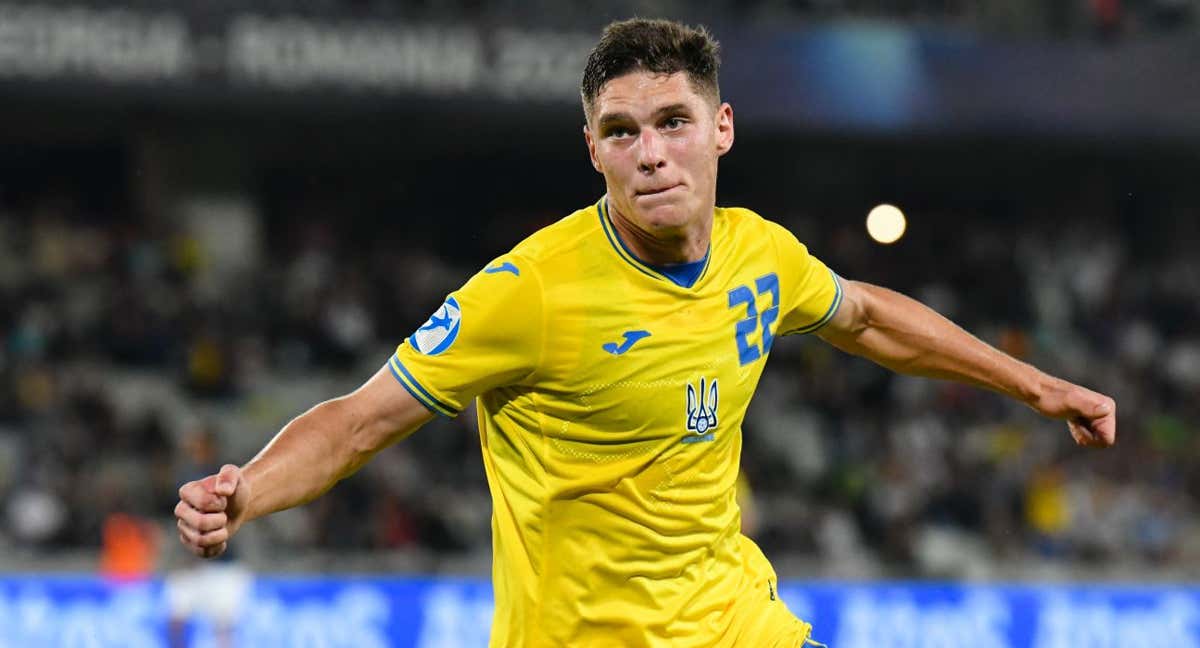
[(308, 458)]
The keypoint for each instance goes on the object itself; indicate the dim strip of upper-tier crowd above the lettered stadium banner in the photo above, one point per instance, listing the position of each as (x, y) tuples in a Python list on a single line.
[(1106, 20)]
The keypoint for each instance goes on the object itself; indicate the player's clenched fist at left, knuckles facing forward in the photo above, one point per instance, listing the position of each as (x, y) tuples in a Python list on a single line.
[(211, 511)]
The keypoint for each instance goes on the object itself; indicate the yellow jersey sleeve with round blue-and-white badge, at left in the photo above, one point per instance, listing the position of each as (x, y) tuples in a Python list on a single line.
[(485, 335)]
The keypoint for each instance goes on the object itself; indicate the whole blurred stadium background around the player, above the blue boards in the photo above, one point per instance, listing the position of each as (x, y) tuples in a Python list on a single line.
[(214, 217)]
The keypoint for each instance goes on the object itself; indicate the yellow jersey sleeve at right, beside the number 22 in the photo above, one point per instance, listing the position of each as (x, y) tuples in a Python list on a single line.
[(812, 292)]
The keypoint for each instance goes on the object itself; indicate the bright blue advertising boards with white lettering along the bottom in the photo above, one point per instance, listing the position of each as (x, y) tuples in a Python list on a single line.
[(377, 613)]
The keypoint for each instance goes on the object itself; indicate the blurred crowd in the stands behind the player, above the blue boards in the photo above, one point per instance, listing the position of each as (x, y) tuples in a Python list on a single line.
[(128, 367)]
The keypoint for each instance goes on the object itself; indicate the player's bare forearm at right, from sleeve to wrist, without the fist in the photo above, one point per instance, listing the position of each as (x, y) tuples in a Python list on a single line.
[(909, 338)]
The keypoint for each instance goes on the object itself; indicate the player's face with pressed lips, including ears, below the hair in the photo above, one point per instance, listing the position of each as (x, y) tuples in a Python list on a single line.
[(657, 142)]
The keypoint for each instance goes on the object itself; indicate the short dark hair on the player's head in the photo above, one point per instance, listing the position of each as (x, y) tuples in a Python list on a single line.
[(652, 46)]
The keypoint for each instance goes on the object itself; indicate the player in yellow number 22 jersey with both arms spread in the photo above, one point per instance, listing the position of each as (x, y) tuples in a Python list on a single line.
[(613, 356)]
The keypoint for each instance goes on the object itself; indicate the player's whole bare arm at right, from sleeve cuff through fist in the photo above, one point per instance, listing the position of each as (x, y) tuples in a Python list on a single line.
[(909, 338)]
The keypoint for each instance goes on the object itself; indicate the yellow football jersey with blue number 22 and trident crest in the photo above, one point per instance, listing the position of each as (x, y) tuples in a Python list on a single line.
[(613, 458)]
